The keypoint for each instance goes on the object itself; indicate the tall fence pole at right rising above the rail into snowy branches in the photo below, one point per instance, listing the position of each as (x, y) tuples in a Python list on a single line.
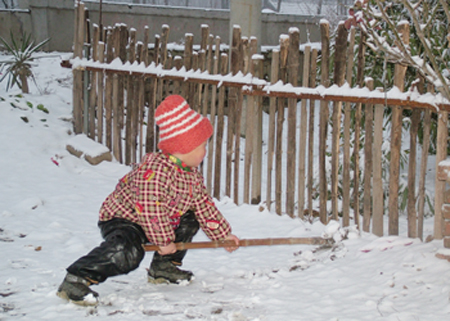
[(396, 139)]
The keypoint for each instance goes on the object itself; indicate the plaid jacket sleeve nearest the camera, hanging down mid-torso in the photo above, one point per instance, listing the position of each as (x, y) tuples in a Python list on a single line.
[(152, 183)]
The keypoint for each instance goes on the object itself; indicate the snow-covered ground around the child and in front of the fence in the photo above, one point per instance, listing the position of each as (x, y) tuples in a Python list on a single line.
[(49, 201)]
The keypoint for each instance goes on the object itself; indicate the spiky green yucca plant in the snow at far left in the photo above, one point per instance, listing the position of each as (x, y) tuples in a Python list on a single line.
[(17, 69)]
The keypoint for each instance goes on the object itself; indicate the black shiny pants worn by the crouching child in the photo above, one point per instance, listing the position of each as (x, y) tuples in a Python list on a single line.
[(122, 250)]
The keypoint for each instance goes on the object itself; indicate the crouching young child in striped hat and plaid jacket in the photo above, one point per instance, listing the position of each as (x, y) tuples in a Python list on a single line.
[(162, 201)]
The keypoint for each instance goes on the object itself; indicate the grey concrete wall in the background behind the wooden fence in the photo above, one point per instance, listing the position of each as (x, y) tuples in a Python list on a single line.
[(54, 19)]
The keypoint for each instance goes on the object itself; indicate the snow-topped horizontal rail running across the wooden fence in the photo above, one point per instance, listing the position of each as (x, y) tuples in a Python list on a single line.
[(258, 87)]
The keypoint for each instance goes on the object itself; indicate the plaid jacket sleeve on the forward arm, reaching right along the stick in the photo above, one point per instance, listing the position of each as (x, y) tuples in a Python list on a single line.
[(211, 221)]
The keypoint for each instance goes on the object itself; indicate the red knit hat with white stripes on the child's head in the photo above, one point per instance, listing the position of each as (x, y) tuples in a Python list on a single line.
[(181, 129)]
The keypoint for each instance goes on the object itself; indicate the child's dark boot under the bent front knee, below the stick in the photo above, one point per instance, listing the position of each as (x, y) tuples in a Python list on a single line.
[(163, 270)]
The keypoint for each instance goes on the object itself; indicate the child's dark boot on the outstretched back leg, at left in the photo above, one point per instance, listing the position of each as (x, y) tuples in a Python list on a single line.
[(76, 289)]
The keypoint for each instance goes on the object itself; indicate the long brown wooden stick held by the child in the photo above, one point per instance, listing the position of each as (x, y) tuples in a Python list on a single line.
[(245, 242)]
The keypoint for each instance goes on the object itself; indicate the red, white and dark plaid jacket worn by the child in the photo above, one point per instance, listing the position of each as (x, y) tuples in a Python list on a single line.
[(156, 194)]
